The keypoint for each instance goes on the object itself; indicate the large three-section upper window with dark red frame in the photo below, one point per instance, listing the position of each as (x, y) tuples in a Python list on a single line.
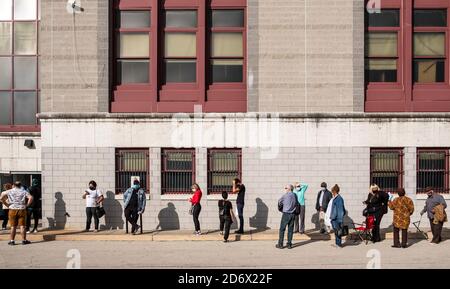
[(190, 53)]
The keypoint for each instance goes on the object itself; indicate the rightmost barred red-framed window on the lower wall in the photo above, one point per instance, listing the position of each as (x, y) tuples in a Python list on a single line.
[(433, 170)]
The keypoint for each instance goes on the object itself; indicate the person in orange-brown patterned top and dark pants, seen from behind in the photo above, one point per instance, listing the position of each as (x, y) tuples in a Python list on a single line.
[(403, 208)]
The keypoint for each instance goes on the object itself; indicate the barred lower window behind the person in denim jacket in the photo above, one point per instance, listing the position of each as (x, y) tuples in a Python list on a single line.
[(132, 164)]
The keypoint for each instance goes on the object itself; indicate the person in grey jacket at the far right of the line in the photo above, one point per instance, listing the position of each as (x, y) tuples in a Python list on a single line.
[(433, 203)]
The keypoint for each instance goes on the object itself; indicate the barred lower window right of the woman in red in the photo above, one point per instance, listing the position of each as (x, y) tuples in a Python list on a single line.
[(224, 165)]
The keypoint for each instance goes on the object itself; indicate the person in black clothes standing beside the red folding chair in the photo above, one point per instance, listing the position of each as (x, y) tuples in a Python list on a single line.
[(377, 205)]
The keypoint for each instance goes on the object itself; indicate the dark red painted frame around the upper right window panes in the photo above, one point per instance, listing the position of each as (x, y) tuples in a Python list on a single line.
[(406, 95)]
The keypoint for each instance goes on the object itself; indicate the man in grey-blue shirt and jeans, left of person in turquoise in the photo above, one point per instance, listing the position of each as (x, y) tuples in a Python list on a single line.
[(287, 205)]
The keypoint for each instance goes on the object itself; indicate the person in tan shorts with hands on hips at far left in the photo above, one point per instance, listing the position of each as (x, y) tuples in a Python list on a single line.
[(17, 200)]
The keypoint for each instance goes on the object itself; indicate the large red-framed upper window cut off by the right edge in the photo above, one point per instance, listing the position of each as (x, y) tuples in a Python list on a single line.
[(406, 56)]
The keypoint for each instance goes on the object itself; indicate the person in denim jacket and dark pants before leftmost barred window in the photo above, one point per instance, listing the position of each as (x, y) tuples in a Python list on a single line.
[(134, 204)]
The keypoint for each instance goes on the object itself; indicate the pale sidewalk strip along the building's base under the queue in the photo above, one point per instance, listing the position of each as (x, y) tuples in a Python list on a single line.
[(183, 235)]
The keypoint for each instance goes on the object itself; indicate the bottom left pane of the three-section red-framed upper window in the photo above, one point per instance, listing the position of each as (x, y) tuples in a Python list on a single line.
[(132, 71)]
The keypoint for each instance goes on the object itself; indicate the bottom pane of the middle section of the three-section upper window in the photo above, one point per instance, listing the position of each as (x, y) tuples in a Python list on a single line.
[(180, 70)]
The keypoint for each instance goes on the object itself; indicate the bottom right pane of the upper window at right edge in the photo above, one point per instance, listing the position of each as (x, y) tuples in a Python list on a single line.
[(429, 70)]
